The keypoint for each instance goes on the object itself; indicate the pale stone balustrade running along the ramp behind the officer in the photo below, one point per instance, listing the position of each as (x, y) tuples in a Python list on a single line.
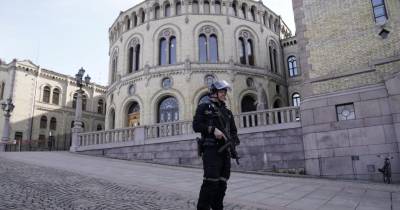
[(139, 135)]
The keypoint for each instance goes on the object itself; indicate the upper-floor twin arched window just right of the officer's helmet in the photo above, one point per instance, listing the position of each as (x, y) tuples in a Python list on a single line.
[(246, 48)]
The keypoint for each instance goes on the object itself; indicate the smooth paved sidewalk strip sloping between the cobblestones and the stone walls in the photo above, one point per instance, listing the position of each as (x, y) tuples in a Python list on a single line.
[(249, 190)]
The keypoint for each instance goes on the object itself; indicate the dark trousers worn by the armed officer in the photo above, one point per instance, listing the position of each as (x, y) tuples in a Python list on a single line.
[(216, 172)]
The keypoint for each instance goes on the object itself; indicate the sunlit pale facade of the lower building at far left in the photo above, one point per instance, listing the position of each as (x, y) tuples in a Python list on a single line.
[(34, 93)]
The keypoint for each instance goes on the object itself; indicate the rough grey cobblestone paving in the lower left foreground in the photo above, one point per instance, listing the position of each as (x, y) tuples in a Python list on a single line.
[(24, 186)]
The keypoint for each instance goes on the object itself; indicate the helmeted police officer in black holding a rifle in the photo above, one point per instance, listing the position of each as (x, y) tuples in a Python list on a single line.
[(216, 124)]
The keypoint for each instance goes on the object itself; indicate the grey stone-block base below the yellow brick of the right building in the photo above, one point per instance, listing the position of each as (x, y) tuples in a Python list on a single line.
[(350, 148)]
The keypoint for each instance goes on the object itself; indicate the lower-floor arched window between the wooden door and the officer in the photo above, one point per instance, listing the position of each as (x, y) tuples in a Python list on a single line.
[(168, 110)]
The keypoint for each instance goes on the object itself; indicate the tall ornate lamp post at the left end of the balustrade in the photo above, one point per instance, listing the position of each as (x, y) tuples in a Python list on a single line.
[(78, 111)]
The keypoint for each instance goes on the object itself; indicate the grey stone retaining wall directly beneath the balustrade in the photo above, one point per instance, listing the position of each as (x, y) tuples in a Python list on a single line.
[(280, 150)]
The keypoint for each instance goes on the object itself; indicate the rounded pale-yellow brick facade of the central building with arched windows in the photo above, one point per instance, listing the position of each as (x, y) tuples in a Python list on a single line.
[(188, 73)]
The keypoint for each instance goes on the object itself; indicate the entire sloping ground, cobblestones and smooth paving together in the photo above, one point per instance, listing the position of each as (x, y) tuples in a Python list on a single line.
[(61, 180)]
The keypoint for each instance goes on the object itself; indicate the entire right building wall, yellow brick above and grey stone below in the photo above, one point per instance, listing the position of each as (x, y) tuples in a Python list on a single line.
[(350, 63)]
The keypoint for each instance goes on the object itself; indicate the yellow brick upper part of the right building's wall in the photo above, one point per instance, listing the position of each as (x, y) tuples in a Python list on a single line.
[(343, 38)]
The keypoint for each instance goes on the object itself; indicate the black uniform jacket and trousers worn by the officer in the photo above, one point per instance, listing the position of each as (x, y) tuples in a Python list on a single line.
[(216, 165)]
